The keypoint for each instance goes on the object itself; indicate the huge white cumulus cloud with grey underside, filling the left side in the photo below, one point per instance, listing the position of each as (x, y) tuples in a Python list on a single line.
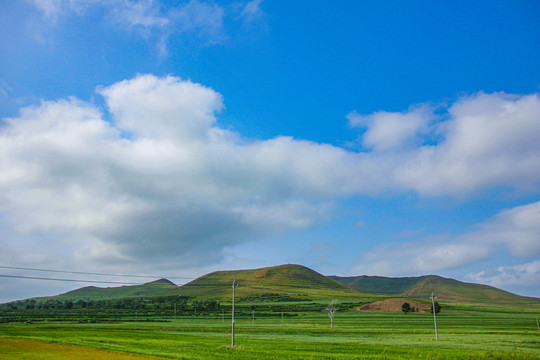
[(162, 180)]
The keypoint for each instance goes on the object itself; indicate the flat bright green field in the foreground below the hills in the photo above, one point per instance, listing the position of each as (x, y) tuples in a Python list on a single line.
[(465, 332)]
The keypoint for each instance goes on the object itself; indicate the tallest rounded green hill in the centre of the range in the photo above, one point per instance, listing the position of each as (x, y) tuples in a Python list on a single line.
[(278, 283)]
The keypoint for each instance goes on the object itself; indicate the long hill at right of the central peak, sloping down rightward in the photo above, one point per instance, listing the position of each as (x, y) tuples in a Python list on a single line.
[(446, 290)]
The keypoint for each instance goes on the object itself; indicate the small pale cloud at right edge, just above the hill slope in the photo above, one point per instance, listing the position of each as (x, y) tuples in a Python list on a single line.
[(512, 277)]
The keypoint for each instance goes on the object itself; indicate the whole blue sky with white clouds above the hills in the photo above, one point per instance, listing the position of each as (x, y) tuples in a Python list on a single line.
[(175, 138)]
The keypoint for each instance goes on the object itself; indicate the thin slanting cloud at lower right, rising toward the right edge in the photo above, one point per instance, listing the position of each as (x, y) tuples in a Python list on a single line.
[(517, 229)]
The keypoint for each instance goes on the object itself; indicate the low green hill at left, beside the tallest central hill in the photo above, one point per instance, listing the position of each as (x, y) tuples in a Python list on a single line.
[(97, 293)]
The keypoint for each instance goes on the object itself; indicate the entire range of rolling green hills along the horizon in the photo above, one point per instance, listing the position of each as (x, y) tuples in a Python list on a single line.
[(299, 283)]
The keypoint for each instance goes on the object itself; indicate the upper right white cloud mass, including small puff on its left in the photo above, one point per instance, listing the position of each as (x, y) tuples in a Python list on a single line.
[(482, 141)]
